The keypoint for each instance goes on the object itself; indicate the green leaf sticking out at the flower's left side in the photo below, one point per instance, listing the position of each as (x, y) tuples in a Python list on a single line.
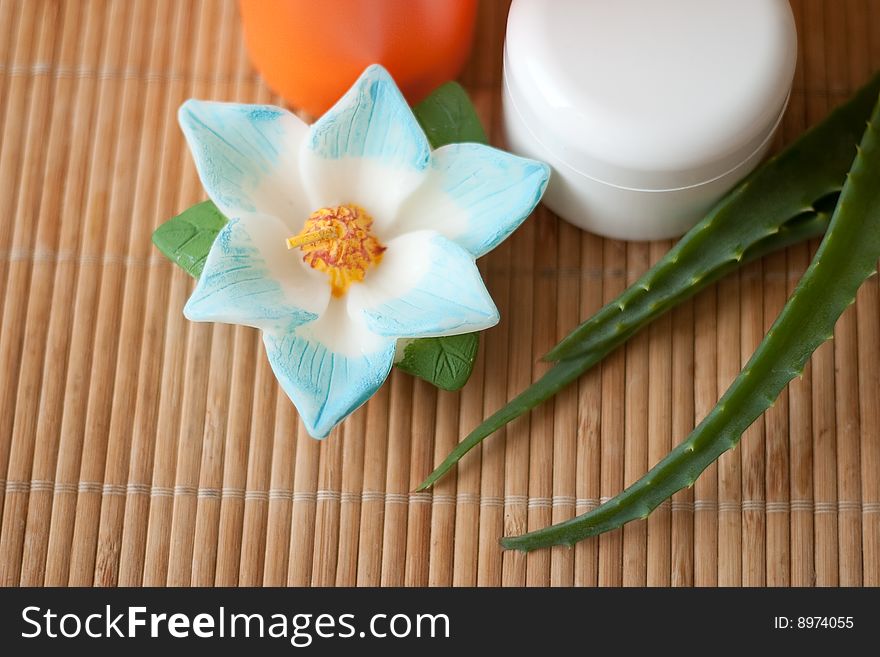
[(187, 238)]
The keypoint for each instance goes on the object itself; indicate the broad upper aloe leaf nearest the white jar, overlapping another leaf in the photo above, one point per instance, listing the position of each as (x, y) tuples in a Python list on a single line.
[(787, 185)]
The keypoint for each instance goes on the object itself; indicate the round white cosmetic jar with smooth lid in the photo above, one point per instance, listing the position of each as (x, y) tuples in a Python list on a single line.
[(647, 110)]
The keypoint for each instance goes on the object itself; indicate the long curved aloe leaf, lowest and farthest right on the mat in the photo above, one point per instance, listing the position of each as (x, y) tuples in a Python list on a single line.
[(847, 256)]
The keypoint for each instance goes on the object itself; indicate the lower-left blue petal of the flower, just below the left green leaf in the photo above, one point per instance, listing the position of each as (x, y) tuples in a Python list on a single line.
[(237, 285)]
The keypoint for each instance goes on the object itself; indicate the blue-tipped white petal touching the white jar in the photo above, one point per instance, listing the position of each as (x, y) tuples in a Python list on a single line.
[(475, 195)]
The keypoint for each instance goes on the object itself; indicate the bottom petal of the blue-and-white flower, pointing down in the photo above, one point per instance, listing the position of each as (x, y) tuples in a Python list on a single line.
[(329, 368)]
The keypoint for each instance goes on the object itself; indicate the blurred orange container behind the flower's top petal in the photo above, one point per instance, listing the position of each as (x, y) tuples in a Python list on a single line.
[(311, 51)]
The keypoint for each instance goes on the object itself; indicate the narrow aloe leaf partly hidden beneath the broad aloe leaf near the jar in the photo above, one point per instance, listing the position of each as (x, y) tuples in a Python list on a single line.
[(566, 371)]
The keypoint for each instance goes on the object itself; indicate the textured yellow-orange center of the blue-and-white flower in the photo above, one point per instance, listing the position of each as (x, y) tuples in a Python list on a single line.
[(339, 241)]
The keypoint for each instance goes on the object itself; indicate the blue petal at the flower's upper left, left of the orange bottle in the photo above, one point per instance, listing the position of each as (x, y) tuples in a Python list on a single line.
[(246, 156)]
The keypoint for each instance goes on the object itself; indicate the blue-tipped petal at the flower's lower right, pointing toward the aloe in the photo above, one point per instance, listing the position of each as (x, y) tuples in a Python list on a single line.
[(425, 286)]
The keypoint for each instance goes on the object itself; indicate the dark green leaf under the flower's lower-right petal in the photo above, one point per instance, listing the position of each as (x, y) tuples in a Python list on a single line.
[(446, 362)]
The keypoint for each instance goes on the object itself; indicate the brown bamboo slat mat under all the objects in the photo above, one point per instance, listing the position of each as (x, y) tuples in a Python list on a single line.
[(138, 448)]
